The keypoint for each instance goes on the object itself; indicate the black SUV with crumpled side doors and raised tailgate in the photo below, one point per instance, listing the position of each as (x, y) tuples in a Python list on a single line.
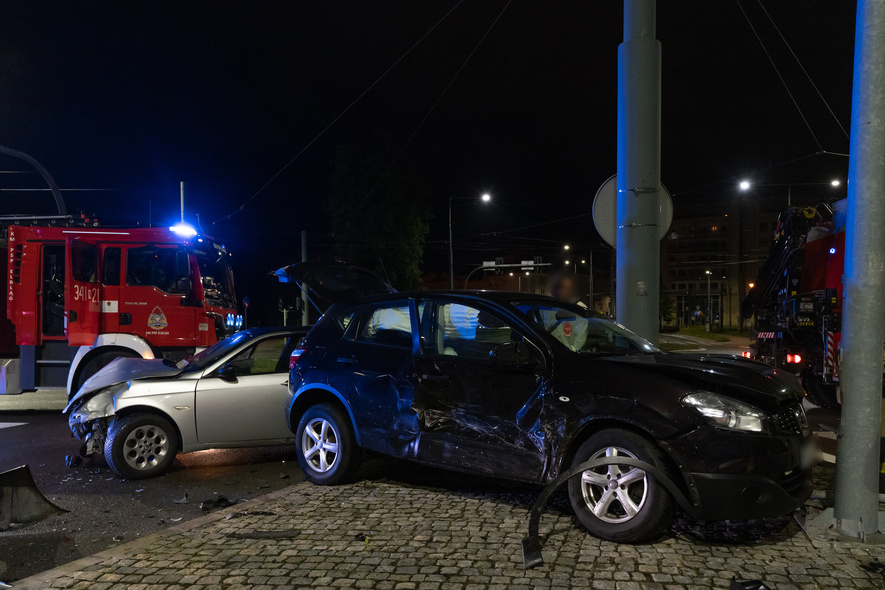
[(522, 387)]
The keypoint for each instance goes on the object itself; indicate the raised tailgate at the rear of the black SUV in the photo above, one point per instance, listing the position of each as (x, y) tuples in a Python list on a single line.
[(327, 283)]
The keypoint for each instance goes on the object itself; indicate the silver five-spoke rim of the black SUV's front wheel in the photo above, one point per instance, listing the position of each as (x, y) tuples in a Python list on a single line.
[(614, 493)]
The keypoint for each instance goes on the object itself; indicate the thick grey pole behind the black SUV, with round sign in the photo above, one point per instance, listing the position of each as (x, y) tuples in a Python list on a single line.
[(639, 170)]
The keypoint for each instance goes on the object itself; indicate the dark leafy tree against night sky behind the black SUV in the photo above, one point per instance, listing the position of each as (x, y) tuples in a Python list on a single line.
[(379, 214)]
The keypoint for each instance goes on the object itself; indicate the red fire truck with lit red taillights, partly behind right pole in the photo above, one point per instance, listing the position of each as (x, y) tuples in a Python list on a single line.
[(796, 300)]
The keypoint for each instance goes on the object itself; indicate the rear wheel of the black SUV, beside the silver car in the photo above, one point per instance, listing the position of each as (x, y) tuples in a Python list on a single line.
[(327, 449)]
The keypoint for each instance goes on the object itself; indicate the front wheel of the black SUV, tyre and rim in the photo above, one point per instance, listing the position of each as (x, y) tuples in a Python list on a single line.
[(620, 503)]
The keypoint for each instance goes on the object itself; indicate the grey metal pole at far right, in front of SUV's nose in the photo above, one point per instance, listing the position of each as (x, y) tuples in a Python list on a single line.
[(863, 321)]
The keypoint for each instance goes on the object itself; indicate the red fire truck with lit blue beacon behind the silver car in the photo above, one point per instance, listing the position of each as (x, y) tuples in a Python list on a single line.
[(79, 296)]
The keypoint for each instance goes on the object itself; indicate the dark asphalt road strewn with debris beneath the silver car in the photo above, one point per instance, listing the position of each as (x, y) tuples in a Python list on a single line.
[(106, 510)]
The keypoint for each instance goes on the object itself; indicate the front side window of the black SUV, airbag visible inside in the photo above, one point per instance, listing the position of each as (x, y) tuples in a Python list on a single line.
[(455, 329)]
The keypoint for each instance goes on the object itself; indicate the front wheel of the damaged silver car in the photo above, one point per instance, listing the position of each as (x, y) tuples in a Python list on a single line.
[(139, 446)]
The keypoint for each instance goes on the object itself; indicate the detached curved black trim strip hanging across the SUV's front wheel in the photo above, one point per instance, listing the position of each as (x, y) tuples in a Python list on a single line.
[(531, 545)]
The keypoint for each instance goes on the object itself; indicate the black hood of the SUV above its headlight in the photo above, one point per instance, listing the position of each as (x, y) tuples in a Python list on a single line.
[(745, 380)]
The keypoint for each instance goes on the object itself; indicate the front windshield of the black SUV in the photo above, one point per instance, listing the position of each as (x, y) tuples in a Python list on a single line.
[(582, 330)]
